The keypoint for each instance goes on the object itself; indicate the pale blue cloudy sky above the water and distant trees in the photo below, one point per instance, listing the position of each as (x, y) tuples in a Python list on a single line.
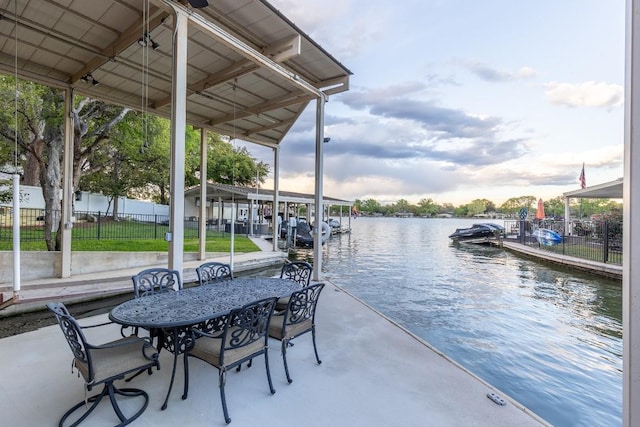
[(457, 100)]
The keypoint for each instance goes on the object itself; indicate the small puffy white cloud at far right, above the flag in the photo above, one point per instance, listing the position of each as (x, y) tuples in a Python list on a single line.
[(587, 94)]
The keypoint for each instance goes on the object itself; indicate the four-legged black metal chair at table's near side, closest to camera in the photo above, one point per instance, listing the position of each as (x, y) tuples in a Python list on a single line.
[(245, 336)]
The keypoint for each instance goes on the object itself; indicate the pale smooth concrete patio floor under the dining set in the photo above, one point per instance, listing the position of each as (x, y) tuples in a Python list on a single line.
[(373, 373)]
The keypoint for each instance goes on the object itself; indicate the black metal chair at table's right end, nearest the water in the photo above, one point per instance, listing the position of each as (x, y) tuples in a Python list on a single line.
[(297, 319)]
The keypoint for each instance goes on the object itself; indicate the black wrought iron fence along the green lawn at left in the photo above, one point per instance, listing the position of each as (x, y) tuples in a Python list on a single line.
[(97, 225)]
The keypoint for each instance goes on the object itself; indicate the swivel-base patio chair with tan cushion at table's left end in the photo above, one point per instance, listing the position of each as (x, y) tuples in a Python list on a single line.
[(104, 364)]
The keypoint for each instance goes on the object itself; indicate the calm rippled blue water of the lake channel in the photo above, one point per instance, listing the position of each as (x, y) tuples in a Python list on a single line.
[(550, 338)]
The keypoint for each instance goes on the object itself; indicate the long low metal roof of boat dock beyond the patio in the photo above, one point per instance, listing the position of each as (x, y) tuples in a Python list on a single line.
[(229, 192)]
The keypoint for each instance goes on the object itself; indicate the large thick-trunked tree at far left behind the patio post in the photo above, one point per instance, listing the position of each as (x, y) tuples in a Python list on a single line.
[(40, 137)]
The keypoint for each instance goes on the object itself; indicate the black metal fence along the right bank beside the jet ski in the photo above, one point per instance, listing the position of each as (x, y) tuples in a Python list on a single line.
[(599, 241)]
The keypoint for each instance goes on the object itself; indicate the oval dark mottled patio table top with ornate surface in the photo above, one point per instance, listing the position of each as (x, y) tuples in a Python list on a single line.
[(193, 305)]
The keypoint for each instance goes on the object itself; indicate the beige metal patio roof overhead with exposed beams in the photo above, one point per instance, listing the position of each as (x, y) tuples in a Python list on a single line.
[(251, 72)]
